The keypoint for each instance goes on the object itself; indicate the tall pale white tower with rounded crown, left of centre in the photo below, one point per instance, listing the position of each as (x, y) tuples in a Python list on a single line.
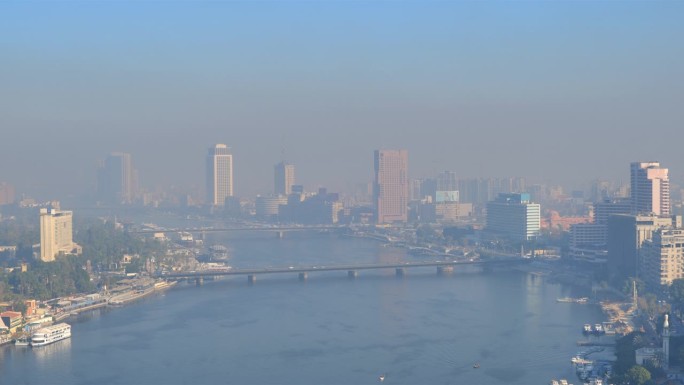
[(219, 175)]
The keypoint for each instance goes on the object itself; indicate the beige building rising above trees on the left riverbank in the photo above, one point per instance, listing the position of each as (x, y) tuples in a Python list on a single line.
[(56, 234)]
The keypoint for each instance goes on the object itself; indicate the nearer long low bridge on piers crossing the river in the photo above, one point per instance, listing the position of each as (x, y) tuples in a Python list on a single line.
[(352, 270)]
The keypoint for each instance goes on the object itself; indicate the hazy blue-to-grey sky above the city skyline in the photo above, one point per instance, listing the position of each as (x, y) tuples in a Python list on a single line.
[(557, 92)]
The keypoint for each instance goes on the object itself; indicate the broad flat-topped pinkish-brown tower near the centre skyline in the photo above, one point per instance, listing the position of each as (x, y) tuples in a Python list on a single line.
[(390, 188)]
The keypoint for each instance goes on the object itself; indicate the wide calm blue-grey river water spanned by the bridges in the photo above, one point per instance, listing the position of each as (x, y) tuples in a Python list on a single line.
[(419, 329)]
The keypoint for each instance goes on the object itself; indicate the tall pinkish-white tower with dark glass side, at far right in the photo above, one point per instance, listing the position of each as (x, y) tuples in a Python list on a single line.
[(650, 188)]
